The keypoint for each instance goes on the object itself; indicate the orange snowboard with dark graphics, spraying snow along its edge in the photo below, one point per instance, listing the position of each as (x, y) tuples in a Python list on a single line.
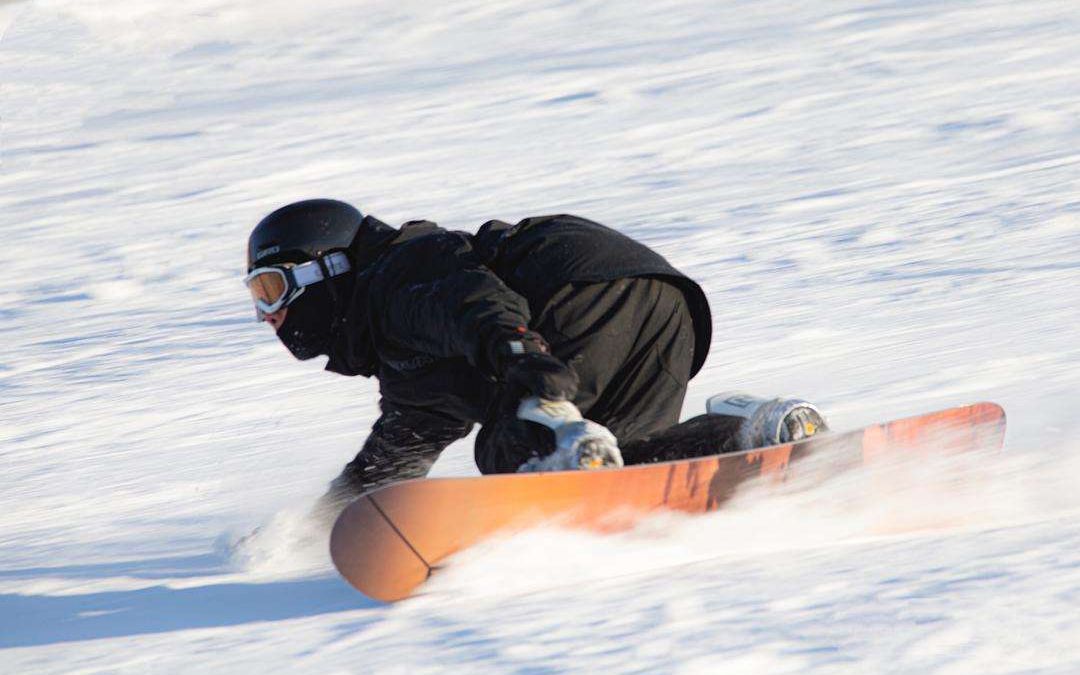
[(389, 542)]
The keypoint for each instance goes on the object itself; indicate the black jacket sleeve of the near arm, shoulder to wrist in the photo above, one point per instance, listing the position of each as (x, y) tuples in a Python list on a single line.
[(455, 306)]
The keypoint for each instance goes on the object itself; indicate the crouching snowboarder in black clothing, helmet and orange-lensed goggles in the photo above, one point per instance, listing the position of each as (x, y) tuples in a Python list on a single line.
[(505, 328)]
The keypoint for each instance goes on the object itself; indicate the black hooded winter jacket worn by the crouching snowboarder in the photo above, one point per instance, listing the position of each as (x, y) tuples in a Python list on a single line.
[(428, 305)]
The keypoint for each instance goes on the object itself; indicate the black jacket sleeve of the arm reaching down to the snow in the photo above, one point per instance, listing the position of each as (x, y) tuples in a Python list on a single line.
[(404, 443)]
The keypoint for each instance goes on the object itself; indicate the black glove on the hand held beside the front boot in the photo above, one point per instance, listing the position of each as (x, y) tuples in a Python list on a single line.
[(525, 362)]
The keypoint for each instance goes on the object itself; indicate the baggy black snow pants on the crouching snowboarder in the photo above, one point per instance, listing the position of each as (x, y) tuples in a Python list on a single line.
[(631, 343)]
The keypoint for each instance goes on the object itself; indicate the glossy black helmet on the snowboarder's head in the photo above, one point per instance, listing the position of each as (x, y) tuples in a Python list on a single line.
[(303, 232)]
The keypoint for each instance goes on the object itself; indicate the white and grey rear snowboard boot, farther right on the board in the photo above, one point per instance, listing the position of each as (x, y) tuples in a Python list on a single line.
[(769, 422)]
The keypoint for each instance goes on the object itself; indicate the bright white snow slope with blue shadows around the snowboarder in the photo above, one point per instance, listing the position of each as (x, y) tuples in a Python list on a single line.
[(882, 200)]
